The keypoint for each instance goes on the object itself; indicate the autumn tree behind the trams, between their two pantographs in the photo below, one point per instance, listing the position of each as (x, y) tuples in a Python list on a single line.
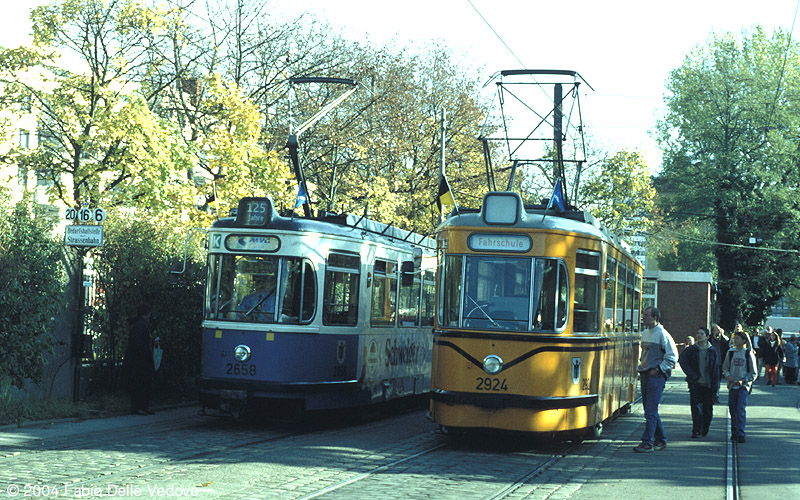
[(380, 149)]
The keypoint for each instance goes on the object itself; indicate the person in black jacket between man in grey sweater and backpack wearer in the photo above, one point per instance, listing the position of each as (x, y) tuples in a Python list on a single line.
[(700, 362)]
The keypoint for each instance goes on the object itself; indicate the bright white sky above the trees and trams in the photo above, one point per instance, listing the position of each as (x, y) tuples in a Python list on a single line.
[(625, 49)]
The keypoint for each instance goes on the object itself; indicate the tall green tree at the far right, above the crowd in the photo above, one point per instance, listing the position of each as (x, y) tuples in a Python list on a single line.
[(729, 138)]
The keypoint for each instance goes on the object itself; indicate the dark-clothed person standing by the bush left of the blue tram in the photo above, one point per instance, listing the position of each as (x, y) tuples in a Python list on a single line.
[(139, 361)]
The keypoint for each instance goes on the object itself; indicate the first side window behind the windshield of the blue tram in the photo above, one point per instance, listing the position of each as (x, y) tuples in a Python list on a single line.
[(340, 300)]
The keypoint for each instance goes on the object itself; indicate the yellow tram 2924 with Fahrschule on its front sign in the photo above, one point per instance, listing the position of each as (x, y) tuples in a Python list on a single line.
[(537, 325)]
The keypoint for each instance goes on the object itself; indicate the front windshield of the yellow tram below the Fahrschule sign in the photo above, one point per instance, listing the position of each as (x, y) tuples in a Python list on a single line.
[(503, 293)]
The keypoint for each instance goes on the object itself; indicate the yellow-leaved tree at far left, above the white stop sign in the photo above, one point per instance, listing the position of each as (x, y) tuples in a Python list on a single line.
[(98, 141)]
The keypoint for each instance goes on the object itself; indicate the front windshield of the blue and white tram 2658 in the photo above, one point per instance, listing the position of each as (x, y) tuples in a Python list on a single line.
[(260, 289)]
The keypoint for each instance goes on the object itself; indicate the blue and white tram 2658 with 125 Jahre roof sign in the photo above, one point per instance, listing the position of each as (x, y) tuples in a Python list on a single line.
[(314, 313)]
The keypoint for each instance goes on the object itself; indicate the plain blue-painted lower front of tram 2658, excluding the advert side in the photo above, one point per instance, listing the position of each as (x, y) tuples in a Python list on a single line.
[(321, 370)]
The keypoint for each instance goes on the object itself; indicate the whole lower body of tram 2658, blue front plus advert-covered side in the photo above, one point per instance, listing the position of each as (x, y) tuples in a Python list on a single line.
[(321, 371)]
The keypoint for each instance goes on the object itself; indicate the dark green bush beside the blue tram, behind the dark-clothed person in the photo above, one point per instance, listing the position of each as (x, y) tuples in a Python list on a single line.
[(134, 266)]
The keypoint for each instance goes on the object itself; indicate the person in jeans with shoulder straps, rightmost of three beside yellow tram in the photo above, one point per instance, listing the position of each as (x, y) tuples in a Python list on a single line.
[(739, 369)]
